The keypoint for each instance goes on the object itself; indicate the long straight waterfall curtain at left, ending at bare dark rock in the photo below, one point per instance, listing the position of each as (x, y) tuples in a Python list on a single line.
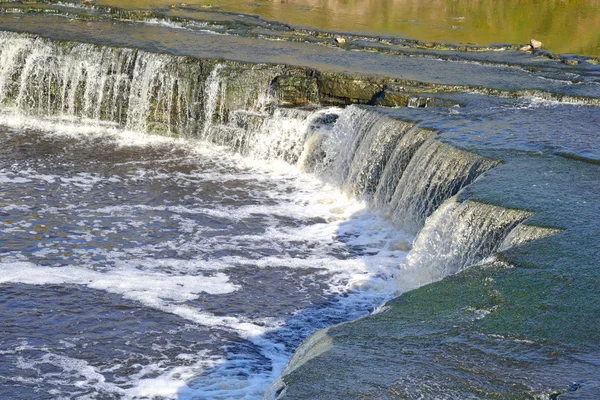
[(134, 89)]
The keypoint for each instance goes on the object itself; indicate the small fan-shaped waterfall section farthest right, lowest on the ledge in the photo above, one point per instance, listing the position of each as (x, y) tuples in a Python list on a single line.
[(456, 236)]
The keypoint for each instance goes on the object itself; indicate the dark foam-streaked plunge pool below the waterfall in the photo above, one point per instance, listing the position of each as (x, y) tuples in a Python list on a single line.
[(135, 266)]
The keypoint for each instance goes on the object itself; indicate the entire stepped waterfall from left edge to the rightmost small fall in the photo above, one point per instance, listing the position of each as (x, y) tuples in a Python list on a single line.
[(398, 168)]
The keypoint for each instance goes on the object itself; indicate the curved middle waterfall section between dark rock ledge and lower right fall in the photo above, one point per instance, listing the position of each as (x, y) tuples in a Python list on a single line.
[(396, 166)]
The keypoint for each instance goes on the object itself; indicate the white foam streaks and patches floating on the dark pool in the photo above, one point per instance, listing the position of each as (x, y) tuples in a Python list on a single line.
[(167, 283)]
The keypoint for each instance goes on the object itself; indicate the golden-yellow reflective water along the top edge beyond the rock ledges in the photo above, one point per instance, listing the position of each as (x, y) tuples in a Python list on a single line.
[(564, 26)]
